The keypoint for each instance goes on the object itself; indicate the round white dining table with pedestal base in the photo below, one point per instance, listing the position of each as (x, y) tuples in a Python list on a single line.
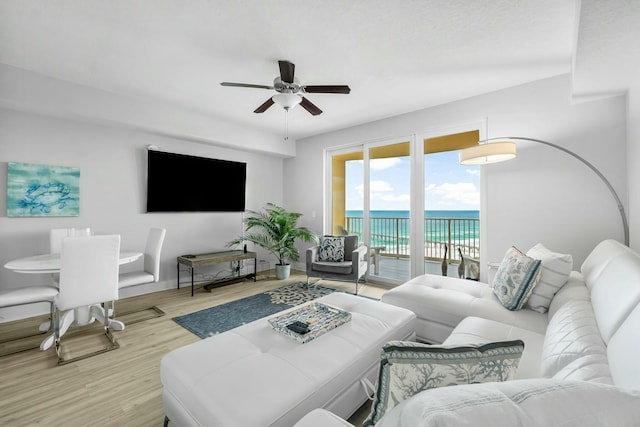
[(79, 316)]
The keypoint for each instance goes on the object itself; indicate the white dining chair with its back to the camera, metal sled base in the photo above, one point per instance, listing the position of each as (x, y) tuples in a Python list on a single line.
[(88, 278)]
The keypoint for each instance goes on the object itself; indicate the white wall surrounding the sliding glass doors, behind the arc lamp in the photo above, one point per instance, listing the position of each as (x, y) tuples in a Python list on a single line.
[(543, 195)]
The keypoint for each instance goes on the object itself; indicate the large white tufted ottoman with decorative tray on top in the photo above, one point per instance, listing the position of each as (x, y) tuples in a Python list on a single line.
[(255, 376)]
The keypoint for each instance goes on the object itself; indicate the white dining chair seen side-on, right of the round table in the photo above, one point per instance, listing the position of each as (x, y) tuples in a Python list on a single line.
[(150, 272)]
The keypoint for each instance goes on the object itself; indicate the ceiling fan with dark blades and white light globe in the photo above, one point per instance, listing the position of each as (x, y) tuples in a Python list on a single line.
[(290, 91)]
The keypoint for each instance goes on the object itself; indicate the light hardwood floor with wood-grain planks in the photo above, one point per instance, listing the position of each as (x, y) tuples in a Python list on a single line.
[(121, 387)]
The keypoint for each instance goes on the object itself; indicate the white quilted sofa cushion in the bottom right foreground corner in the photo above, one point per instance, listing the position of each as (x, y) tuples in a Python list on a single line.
[(533, 402)]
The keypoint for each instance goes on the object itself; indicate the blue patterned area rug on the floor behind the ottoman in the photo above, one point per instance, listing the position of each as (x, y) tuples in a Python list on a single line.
[(214, 320)]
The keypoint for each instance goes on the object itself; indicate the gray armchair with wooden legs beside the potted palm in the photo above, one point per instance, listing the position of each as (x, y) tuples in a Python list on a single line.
[(352, 268)]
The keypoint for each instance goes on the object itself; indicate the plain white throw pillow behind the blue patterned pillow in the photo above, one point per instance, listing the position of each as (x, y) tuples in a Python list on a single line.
[(554, 273)]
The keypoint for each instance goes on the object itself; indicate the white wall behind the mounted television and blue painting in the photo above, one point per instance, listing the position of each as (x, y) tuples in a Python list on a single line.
[(112, 162)]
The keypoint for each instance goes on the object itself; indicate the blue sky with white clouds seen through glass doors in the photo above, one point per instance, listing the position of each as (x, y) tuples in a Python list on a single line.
[(448, 185)]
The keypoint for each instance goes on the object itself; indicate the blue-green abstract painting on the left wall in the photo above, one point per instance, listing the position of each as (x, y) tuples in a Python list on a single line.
[(42, 190)]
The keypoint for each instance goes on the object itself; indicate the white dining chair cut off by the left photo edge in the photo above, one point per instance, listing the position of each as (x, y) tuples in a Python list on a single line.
[(23, 296)]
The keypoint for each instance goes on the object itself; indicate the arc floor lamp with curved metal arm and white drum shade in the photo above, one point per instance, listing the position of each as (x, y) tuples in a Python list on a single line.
[(505, 148)]
